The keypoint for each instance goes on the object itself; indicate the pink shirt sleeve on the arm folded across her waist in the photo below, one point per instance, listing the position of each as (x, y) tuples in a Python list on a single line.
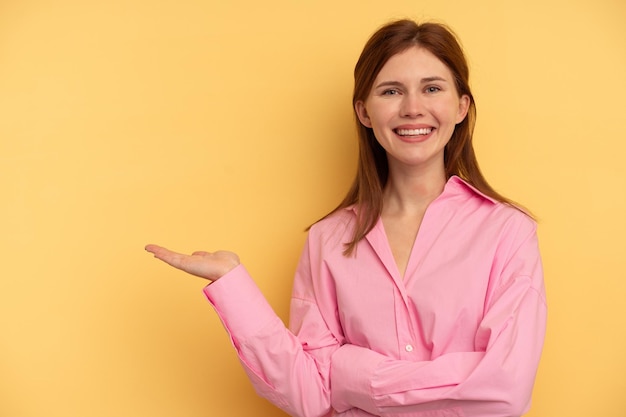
[(494, 380)]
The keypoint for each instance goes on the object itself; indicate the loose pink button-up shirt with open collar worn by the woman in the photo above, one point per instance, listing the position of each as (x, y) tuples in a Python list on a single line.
[(460, 335)]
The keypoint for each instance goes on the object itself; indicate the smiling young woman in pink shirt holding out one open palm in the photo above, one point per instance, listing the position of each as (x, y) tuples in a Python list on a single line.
[(422, 293)]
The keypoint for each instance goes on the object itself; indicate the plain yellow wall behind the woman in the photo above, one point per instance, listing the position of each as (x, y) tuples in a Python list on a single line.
[(214, 124)]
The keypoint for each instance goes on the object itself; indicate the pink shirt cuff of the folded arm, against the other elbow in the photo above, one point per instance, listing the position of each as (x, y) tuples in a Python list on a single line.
[(352, 372)]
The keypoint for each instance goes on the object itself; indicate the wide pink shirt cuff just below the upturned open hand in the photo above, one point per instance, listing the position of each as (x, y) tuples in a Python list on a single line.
[(239, 303)]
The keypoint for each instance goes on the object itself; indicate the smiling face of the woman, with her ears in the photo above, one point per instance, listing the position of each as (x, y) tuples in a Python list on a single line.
[(413, 108)]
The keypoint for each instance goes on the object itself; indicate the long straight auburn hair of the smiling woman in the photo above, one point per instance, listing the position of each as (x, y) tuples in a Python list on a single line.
[(372, 173)]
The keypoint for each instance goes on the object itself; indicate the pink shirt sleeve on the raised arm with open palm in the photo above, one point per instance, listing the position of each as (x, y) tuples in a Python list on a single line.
[(289, 368)]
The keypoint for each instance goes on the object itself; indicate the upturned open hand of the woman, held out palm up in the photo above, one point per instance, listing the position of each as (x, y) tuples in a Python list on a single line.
[(207, 265)]
